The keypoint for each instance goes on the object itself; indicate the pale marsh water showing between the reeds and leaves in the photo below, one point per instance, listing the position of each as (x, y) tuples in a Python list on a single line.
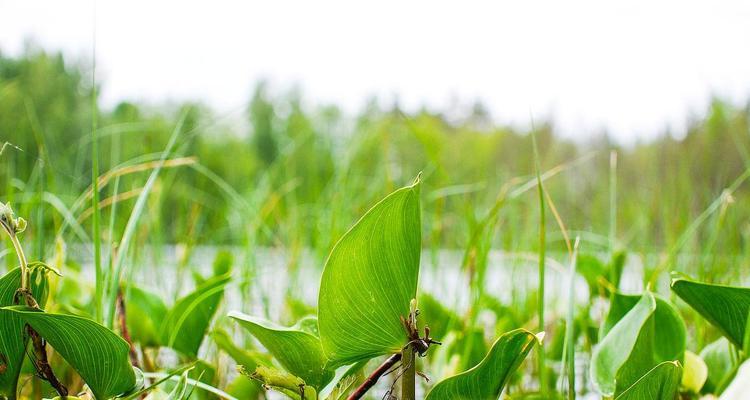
[(265, 278)]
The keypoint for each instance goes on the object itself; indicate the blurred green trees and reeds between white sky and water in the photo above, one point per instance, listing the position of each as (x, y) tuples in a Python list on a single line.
[(298, 176)]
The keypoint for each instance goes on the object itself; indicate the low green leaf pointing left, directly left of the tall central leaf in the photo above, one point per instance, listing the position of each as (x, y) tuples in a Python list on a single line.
[(297, 350)]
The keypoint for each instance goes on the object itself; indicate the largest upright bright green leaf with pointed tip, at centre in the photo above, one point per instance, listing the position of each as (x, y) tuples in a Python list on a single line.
[(370, 279)]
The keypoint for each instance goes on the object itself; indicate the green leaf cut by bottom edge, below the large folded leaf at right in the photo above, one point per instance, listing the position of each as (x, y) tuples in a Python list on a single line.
[(661, 383)]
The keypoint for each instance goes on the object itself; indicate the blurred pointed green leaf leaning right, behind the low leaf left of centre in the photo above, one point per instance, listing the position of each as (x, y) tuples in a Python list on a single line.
[(187, 322)]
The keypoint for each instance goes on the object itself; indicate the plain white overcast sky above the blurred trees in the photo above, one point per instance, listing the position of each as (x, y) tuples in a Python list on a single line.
[(634, 67)]
